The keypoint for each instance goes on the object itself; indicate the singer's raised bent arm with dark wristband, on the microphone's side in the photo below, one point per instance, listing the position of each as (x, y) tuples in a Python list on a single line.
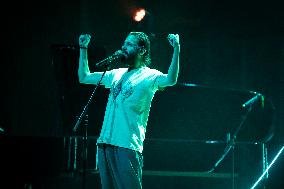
[(83, 71)]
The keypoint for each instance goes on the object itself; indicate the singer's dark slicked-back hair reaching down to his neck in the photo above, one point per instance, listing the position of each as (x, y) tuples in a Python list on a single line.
[(144, 42)]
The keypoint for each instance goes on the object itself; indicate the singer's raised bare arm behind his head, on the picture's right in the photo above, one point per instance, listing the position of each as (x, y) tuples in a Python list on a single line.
[(171, 77)]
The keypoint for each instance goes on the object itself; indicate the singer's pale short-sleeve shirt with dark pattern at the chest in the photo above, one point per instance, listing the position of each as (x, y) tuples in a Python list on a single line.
[(128, 106)]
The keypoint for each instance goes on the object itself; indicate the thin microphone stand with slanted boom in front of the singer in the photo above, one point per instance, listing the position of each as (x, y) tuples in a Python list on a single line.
[(79, 120)]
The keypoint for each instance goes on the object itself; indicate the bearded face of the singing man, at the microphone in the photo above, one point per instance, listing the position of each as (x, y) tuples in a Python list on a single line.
[(130, 47)]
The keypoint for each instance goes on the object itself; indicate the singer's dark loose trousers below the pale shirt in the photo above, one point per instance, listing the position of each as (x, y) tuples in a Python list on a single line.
[(119, 168)]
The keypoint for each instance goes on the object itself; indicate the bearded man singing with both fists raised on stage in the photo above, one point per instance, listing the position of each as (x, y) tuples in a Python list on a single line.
[(120, 144)]
